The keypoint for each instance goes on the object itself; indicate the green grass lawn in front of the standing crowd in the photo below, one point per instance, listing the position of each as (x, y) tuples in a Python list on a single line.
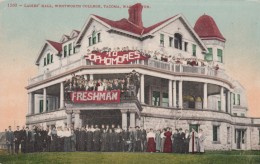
[(218, 157)]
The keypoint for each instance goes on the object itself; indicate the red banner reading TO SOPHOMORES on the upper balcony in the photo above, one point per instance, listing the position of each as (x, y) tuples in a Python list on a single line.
[(115, 57)]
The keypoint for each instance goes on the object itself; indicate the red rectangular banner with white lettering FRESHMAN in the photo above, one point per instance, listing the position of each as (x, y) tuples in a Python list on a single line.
[(95, 96)]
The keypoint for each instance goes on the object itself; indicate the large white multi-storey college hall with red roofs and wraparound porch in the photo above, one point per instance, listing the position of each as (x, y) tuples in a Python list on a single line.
[(165, 75)]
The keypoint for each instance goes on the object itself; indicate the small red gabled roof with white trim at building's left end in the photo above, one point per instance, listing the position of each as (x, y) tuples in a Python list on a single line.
[(57, 47)]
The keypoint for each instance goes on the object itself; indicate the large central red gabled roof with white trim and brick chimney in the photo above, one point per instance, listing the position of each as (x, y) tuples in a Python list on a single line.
[(135, 27)]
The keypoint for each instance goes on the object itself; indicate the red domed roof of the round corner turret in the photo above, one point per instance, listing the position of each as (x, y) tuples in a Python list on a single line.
[(207, 28)]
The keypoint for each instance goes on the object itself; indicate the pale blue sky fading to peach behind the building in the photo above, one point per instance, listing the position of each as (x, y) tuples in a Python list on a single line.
[(23, 31)]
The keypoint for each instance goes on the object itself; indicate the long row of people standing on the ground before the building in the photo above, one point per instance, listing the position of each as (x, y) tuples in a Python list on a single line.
[(104, 139)]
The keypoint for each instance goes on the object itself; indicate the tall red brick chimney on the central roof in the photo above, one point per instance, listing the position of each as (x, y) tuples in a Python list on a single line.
[(135, 14)]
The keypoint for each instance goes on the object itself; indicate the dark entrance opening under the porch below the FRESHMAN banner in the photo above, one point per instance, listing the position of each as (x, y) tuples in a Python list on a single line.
[(99, 117)]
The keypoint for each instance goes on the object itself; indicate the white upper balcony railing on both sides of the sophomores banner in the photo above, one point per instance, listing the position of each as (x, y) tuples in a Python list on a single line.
[(179, 68)]
